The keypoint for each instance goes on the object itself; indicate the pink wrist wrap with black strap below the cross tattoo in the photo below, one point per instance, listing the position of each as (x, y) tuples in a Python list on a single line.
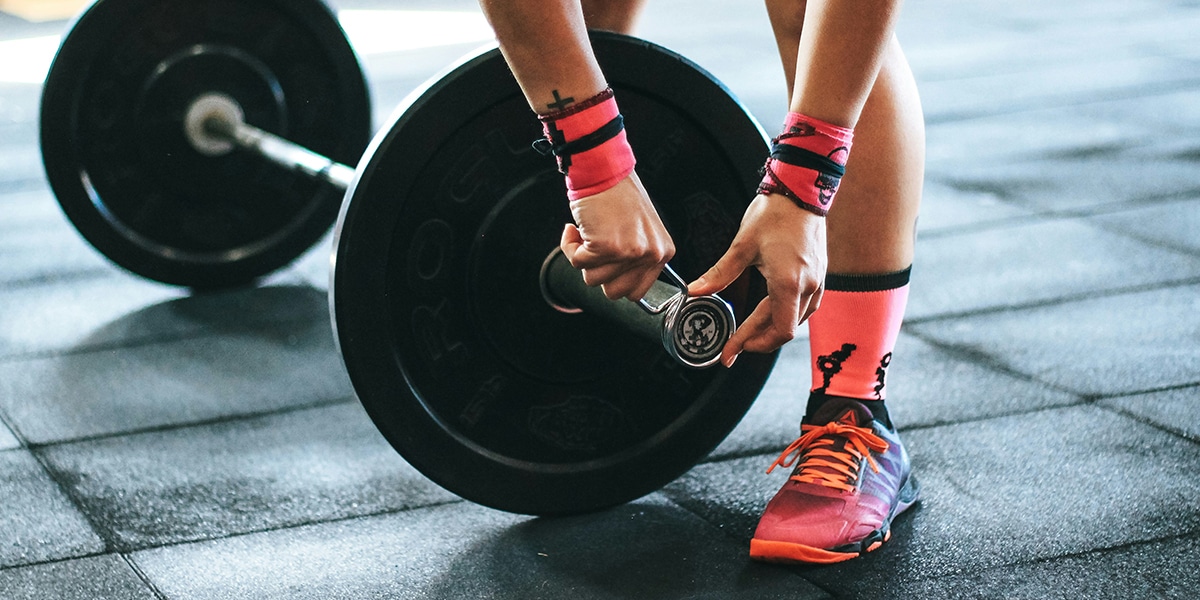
[(590, 142)]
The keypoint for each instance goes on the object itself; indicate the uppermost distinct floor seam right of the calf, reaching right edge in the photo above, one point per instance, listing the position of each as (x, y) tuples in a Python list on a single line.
[(1070, 100)]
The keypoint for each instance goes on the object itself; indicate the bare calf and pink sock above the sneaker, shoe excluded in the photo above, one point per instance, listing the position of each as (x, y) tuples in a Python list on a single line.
[(872, 236)]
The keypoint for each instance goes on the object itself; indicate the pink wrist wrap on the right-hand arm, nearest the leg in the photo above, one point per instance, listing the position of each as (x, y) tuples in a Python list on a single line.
[(807, 163)]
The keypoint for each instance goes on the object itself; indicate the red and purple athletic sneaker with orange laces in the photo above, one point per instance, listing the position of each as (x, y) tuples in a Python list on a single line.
[(851, 479)]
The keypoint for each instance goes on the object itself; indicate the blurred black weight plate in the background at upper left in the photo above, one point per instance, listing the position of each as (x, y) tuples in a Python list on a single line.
[(127, 177)]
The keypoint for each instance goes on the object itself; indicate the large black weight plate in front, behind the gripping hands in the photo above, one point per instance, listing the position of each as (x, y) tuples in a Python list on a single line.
[(452, 349)]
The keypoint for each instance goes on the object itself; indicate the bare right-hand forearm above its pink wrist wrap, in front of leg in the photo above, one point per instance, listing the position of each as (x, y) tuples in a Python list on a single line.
[(833, 65)]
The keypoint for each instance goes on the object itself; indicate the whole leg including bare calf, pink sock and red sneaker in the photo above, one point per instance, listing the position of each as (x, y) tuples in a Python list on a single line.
[(853, 335)]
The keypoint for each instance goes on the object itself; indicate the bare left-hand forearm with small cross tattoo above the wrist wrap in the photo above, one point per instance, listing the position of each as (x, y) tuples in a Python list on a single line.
[(547, 46)]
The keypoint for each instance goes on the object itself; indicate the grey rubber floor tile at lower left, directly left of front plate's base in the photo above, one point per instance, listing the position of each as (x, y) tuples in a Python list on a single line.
[(218, 481)]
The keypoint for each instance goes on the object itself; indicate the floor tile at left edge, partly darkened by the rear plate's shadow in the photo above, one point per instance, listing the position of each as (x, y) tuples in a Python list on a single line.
[(122, 310)]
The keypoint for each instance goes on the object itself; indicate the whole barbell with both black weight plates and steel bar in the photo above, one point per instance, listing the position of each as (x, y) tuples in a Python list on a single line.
[(200, 145)]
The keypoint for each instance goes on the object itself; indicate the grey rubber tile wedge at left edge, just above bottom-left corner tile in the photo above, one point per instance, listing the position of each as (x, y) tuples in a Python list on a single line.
[(38, 520)]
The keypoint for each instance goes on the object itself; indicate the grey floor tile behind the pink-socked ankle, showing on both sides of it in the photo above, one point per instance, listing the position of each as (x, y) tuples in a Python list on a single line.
[(927, 387)]
